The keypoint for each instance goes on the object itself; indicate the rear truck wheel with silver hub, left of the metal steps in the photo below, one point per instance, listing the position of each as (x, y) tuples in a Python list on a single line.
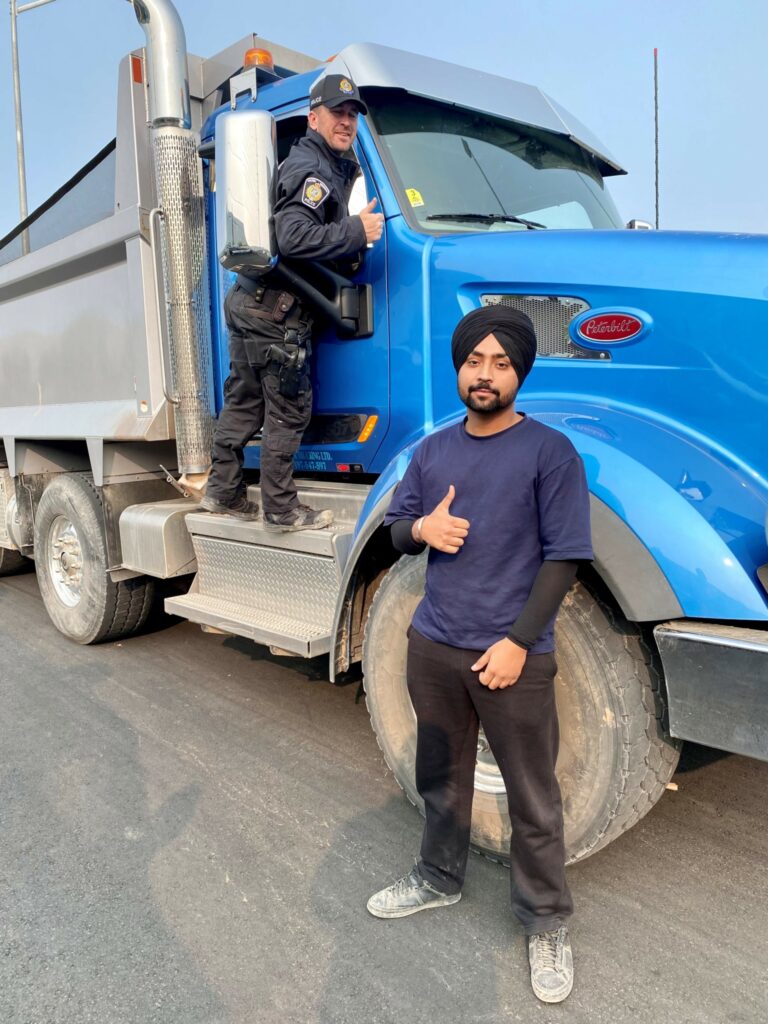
[(80, 598)]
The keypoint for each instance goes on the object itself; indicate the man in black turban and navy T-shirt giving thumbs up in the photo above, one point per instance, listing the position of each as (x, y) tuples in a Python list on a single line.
[(502, 505)]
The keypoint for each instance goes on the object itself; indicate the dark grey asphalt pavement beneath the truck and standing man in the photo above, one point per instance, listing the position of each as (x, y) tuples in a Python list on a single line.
[(190, 829)]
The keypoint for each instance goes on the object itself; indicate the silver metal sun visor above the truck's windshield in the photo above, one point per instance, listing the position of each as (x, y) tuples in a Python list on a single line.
[(372, 65)]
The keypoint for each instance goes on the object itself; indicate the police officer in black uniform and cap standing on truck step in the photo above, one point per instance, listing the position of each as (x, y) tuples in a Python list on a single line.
[(269, 388)]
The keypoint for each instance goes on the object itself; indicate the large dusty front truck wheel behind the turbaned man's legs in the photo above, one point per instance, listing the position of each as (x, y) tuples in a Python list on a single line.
[(615, 759)]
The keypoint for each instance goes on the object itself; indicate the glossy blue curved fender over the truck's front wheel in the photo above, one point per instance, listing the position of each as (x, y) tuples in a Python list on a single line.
[(697, 509)]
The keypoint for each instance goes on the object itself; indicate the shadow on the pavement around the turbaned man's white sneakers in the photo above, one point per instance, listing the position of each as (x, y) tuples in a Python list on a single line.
[(419, 970)]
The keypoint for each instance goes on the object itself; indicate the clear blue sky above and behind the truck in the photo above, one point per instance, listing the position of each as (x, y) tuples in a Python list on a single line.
[(594, 57)]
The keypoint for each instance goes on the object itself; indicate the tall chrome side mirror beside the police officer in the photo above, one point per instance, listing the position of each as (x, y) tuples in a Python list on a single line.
[(246, 178)]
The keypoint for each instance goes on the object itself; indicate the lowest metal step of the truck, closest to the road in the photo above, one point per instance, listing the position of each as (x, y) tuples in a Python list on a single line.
[(271, 628)]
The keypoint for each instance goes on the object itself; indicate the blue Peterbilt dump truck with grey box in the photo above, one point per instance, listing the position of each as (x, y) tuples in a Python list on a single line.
[(653, 361)]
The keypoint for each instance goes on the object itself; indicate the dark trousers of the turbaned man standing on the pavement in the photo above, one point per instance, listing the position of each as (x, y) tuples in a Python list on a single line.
[(521, 724)]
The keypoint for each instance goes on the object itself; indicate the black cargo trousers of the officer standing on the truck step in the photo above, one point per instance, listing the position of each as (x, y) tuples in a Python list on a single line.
[(253, 403)]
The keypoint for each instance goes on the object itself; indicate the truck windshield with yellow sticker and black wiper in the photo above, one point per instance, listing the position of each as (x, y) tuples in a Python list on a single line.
[(463, 170)]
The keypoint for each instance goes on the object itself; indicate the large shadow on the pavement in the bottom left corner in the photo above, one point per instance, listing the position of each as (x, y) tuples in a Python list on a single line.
[(86, 936)]
